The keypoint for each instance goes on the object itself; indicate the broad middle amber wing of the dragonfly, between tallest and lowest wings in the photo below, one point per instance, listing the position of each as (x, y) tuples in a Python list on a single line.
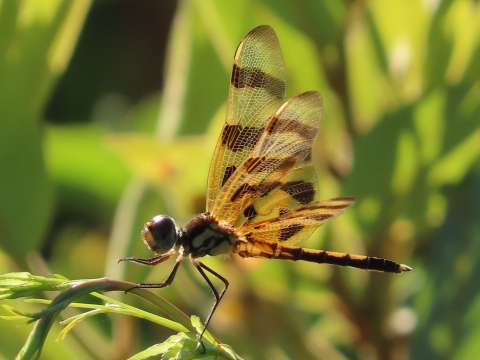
[(278, 169)]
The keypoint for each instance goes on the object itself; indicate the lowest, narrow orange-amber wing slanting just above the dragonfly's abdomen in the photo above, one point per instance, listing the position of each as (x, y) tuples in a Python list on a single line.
[(296, 226)]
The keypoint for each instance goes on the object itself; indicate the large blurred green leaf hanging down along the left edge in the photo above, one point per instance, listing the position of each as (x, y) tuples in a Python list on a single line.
[(37, 40)]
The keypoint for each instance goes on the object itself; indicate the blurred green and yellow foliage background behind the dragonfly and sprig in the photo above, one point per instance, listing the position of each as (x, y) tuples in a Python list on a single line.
[(85, 163)]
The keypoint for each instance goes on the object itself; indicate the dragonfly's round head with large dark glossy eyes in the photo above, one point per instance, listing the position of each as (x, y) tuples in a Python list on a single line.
[(160, 234)]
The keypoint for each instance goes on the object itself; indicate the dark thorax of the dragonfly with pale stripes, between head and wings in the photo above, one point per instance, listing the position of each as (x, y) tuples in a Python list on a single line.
[(205, 236)]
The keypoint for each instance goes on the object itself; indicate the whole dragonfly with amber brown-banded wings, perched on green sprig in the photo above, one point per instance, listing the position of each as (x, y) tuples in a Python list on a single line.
[(262, 191)]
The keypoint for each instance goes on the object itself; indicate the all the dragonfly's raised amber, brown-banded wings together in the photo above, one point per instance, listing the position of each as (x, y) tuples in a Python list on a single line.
[(261, 180)]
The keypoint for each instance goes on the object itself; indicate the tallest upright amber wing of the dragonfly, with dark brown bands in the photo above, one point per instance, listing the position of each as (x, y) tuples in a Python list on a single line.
[(257, 89)]
